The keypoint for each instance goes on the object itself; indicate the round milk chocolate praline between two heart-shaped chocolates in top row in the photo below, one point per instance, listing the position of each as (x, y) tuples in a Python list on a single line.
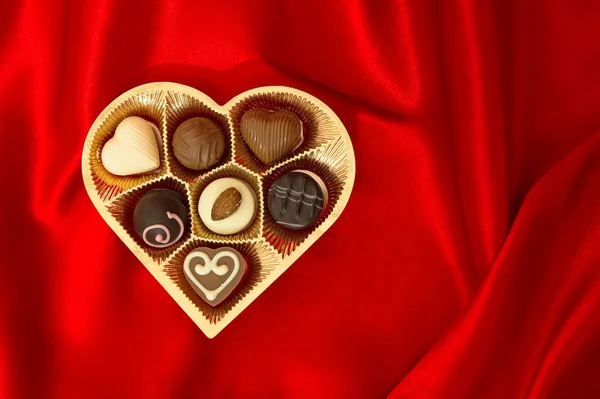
[(198, 143)]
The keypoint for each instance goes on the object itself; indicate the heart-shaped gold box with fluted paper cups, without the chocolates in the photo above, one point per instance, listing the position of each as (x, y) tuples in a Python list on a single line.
[(268, 247)]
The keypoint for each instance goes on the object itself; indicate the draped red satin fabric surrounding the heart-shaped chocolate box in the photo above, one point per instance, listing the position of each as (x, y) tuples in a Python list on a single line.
[(466, 265)]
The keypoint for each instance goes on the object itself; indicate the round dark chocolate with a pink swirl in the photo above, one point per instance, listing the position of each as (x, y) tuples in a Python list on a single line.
[(160, 217)]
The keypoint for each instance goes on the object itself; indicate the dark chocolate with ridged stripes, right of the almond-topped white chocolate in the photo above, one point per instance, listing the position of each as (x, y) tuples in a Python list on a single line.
[(297, 199)]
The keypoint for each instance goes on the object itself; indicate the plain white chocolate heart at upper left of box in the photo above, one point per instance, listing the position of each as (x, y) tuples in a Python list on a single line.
[(133, 149)]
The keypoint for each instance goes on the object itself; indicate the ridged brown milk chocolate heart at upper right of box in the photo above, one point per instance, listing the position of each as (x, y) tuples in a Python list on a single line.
[(271, 135)]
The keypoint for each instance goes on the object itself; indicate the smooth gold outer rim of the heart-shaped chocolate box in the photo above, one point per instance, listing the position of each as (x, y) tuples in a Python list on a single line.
[(208, 328)]
